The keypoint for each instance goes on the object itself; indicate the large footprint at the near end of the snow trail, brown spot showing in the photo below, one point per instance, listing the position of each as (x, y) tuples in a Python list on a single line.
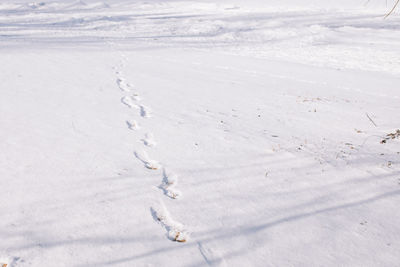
[(175, 230)]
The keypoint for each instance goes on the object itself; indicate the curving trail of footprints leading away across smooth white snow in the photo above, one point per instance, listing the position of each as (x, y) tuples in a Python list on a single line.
[(175, 230)]
